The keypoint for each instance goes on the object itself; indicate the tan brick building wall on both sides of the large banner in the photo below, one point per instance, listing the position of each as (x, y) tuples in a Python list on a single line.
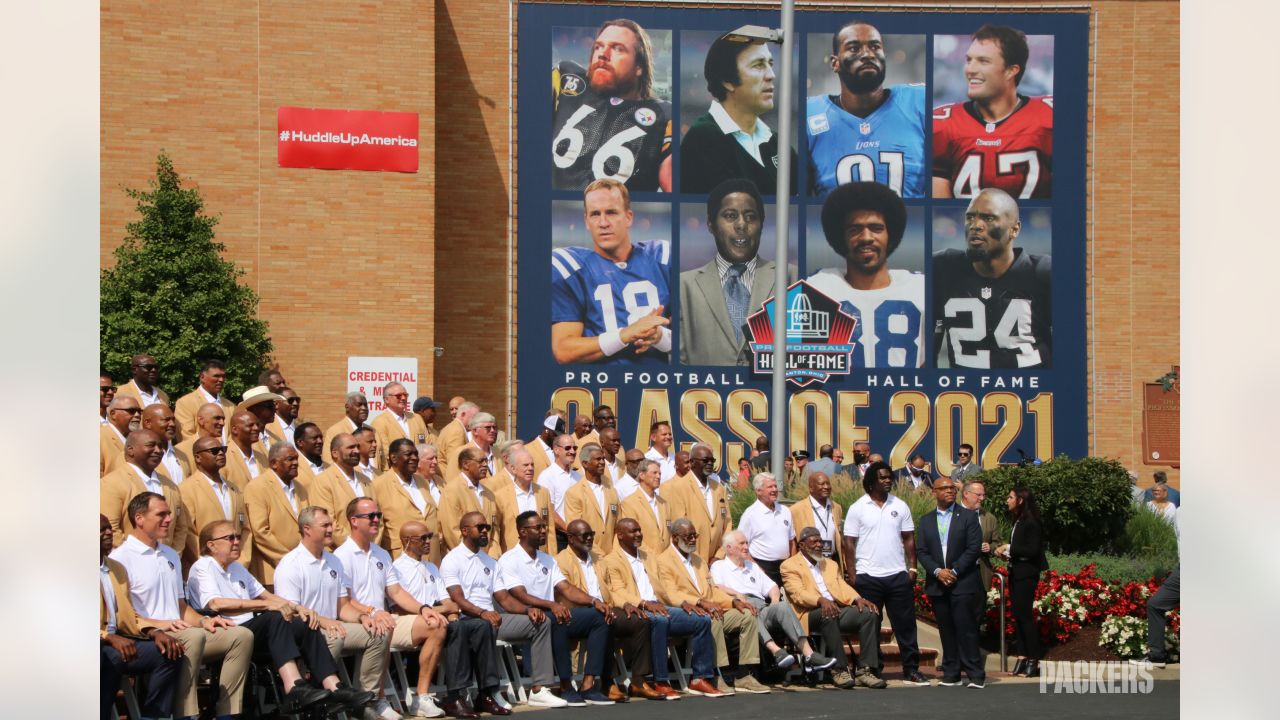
[(190, 84)]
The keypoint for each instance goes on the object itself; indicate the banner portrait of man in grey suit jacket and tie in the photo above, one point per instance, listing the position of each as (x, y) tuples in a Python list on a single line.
[(728, 247)]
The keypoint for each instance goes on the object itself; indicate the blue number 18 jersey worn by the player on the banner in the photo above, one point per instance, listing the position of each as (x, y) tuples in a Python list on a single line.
[(609, 297)]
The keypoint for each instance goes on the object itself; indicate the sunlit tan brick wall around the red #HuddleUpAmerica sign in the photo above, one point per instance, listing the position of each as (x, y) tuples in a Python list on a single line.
[(344, 261)]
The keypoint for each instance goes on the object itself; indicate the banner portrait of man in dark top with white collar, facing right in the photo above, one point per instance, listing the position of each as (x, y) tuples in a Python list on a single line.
[(730, 89)]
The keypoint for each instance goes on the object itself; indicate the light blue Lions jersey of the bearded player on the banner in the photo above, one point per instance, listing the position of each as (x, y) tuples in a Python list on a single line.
[(886, 147)]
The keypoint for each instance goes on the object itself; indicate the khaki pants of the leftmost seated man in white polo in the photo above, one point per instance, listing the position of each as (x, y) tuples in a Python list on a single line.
[(234, 646)]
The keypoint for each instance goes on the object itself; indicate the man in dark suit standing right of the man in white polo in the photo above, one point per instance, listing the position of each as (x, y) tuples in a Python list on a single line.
[(948, 546)]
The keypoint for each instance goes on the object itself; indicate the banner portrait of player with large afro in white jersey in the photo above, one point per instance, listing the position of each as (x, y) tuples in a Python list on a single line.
[(866, 250)]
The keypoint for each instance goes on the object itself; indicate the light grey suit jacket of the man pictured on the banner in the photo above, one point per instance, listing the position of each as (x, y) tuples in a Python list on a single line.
[(706, 330)]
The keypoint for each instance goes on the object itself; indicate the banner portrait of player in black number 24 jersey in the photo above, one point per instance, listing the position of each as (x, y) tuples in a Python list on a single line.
[(993, 290)]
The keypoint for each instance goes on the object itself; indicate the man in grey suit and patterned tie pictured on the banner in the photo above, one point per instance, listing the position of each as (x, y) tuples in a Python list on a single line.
[(716, 299)]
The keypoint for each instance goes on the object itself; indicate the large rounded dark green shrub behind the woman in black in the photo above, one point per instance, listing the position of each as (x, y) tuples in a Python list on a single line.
[(1085, 504)]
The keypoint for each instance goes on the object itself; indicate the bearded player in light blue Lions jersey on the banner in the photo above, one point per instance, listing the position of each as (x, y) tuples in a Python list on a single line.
[(868, 133)]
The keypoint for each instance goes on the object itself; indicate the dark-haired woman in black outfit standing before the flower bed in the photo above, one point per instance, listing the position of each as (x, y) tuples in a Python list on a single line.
[(1026, 554)]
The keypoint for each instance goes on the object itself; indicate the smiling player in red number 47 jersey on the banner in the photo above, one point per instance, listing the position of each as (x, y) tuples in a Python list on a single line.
[(999, 139)]
